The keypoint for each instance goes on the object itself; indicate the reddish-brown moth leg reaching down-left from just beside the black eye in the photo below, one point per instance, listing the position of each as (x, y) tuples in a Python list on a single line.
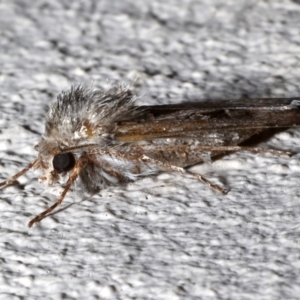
[(72, 178)]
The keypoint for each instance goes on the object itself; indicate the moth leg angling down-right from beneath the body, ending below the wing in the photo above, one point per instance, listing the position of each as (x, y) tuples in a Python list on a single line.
[(170, 167)]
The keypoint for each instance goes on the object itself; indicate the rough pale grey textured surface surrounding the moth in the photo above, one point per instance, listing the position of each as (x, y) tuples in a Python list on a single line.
[(169, 236)]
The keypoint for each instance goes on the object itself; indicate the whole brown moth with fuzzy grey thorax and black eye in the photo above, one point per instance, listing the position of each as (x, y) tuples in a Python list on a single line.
[(98, 138)]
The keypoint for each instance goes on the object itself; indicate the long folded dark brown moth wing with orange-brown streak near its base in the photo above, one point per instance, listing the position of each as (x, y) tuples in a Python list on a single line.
[(232, 121)]
